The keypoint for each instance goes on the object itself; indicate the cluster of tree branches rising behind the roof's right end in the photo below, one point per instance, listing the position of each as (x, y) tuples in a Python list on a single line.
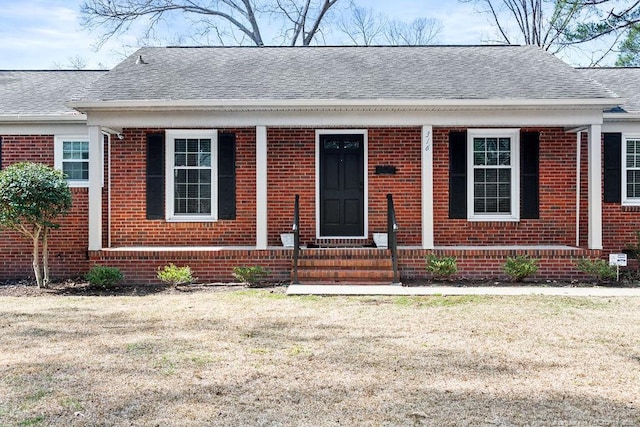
[(556, 25)]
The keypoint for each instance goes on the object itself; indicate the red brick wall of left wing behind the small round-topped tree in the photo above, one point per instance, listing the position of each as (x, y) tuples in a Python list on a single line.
[(68, 244)]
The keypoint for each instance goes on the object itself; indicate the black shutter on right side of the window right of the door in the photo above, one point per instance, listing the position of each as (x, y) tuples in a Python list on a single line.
[(529, 175)]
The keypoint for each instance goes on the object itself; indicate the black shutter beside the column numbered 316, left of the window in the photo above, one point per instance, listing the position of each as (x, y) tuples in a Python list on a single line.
[(458, 175)]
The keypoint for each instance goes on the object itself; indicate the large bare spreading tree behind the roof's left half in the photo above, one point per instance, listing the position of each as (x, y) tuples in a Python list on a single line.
[(235, 21)]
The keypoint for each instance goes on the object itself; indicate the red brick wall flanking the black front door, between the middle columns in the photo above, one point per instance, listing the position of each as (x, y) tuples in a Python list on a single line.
[(291, 160)]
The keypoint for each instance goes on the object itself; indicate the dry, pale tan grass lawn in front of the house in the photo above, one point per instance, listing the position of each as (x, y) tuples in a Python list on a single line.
[(257, 357)]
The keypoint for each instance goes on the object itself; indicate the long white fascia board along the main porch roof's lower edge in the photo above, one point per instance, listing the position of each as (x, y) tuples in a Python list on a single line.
[(313, 104)]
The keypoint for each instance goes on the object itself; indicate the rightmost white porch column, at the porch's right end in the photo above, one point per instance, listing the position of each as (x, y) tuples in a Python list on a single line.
[(595, 187)]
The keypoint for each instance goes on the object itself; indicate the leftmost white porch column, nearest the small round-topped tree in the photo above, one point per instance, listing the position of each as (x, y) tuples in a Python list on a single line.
[(95, 188)]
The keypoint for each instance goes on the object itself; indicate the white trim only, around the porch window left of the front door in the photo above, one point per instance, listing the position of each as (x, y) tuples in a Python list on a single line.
[(171, 135)]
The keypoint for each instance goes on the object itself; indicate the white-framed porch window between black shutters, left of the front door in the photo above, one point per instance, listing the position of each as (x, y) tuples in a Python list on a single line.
[(191, 175)]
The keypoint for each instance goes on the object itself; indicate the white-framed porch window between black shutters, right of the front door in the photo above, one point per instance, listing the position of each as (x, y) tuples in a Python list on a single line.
[(493, 175)]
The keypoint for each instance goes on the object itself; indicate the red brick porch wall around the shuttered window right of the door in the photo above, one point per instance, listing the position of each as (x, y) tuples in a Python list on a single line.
[(557, 221)]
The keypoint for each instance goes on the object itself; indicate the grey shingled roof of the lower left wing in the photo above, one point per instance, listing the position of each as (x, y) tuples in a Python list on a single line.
[(42, 93)]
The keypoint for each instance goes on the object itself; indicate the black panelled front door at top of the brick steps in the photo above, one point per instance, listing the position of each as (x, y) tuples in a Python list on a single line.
[(341, 185)]
